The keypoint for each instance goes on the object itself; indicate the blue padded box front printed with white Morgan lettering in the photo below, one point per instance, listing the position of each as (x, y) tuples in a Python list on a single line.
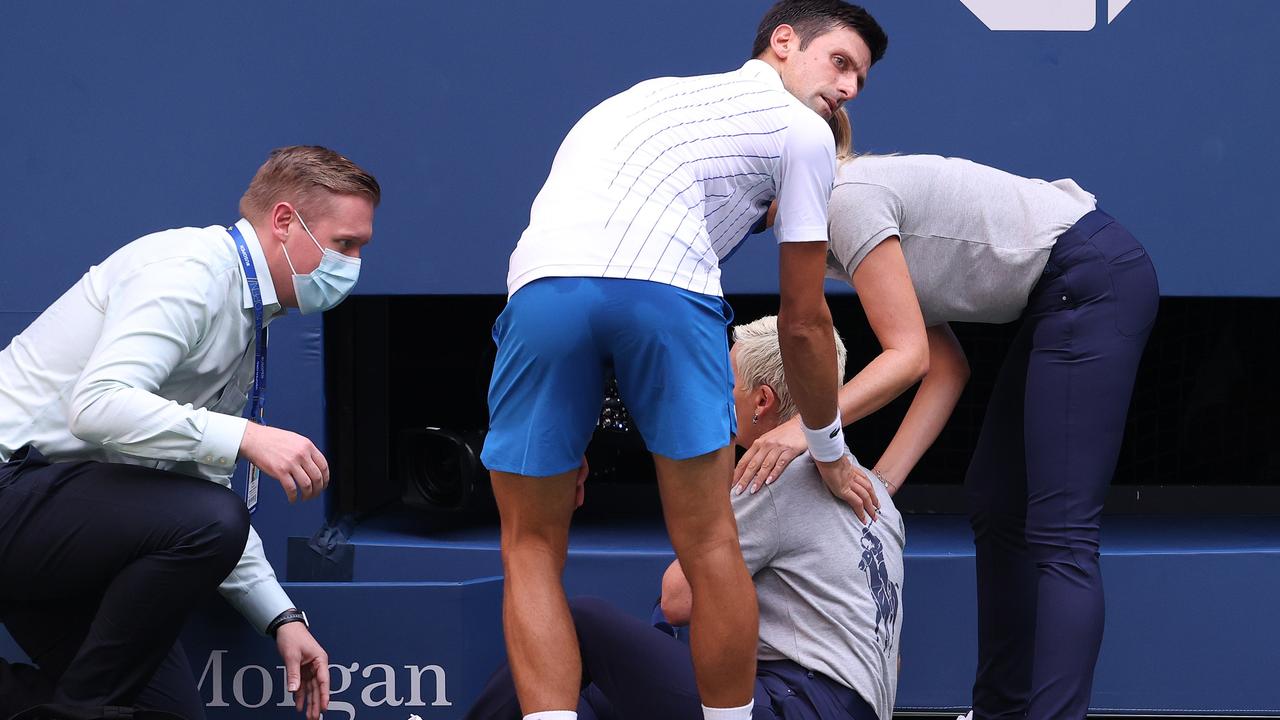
[(413, 650)]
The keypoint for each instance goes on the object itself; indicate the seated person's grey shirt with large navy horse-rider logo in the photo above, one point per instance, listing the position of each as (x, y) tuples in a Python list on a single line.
[(830, 589)]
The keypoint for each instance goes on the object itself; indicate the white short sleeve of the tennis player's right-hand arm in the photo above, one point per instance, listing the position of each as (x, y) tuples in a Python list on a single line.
[(806, 175)]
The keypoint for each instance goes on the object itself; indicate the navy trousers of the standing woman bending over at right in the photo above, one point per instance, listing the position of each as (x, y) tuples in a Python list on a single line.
[(1043, 467)]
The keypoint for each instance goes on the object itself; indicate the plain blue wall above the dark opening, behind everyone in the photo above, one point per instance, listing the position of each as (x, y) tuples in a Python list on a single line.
[(131, 116)]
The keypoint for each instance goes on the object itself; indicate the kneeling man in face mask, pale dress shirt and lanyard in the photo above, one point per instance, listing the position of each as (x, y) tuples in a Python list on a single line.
[(117, 408)]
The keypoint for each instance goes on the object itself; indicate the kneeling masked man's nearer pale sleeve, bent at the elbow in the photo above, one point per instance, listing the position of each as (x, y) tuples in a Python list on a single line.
[(153, 318)]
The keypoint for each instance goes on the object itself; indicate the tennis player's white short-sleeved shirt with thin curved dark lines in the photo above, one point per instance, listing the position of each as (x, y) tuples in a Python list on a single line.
[(668, 179)]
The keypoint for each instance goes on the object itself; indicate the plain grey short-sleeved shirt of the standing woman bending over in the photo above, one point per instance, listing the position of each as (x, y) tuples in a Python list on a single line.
[(976, 239)]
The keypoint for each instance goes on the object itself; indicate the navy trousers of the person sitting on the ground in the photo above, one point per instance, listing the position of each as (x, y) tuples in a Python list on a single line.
[(636, 672)]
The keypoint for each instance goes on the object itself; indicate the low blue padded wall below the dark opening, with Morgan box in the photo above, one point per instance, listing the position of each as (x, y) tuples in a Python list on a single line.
[(1191, 623)]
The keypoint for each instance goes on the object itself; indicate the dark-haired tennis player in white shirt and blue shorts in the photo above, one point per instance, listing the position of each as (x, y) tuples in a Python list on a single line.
[(619, 275)]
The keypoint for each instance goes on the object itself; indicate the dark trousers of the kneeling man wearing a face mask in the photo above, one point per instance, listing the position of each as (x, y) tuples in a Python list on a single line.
[(99, 564)]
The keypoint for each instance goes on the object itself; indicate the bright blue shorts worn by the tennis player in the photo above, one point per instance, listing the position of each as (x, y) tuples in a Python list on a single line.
[(561, 339)]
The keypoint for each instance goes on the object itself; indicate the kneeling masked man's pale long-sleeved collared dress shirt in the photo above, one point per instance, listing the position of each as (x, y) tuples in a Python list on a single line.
[(149, 361)]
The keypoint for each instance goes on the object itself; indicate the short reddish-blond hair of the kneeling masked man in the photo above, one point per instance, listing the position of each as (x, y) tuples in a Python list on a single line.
[(304, 175)]
